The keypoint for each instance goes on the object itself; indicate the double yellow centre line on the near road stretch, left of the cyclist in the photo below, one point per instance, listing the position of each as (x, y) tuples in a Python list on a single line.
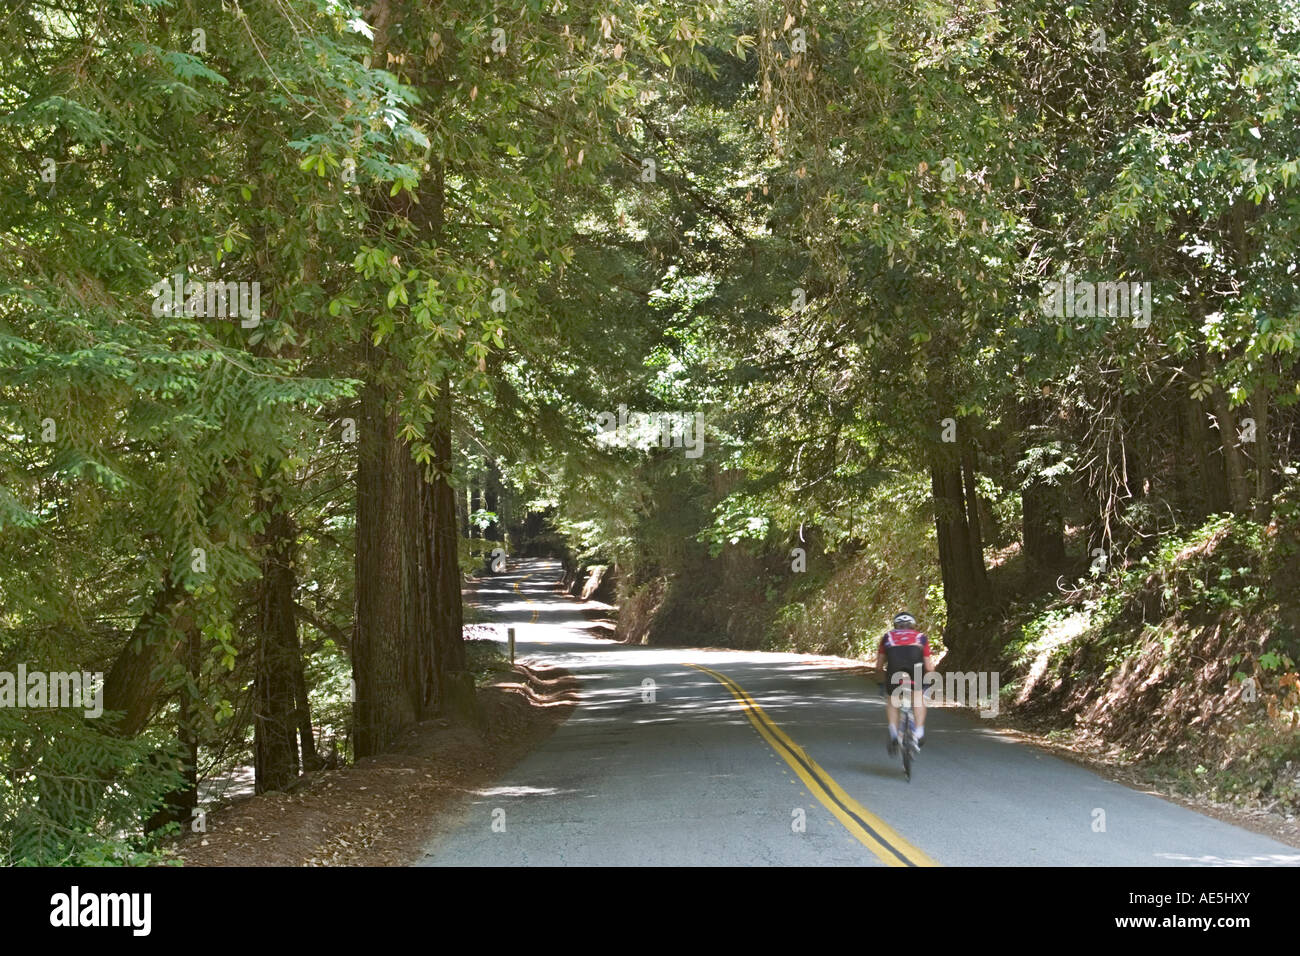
[(872, 832)]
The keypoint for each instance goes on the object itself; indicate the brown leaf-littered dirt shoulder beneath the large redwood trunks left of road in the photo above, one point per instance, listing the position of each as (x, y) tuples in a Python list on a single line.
[(382, 811)]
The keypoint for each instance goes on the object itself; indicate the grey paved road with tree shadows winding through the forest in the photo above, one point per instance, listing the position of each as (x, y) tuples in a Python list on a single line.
[(722, 756)]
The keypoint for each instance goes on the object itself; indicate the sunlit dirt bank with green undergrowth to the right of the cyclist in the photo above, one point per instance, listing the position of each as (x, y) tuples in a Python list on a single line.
[(1188, 682)]
